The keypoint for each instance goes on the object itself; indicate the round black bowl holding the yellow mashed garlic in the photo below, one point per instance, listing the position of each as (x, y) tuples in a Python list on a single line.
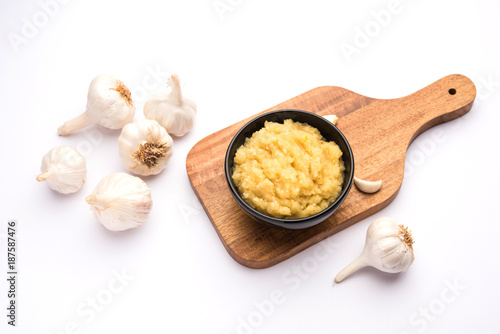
[(327, 130)]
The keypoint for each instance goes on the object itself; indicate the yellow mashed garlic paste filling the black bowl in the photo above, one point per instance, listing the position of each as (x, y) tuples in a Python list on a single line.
[(288, 170)]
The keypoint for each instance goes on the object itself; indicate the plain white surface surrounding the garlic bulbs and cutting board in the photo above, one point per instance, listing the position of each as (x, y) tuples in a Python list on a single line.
[(176, 275)]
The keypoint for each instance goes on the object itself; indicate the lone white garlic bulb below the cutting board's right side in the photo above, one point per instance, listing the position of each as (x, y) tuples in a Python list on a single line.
[(388, 248)]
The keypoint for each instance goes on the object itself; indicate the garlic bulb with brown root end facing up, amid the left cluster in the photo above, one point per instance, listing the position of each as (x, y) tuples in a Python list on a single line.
[(145, 147)]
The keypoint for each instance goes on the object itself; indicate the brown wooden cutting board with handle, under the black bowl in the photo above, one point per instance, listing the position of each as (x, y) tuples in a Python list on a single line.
[(379, 132)]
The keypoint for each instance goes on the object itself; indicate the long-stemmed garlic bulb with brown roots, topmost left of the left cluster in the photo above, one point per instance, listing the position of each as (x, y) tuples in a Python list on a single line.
[(108, 103)]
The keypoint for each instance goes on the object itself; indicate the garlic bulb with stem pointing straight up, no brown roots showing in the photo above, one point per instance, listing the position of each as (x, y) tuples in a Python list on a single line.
[(173, 111)]
